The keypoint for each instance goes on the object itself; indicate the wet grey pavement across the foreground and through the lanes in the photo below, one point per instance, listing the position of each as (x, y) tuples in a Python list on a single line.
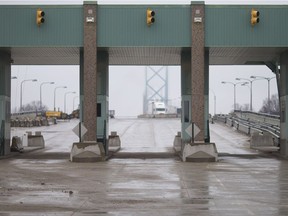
[(44, 182)]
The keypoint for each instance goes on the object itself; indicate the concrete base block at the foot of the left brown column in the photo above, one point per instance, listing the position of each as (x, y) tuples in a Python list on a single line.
[(87, 152)]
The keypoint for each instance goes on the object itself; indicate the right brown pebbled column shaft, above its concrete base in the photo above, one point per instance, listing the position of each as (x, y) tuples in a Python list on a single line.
[(197, 67)]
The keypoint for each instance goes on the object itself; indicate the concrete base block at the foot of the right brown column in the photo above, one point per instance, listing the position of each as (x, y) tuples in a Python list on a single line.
[(200, 152)]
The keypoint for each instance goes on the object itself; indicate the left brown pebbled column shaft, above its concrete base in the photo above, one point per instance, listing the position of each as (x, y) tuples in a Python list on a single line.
[(90, 69)]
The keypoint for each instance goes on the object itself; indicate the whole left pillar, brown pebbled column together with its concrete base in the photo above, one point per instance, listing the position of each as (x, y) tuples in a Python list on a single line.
[(88, 150)]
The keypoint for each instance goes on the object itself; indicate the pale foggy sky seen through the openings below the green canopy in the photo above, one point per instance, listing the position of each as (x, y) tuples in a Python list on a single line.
[(127, 86)]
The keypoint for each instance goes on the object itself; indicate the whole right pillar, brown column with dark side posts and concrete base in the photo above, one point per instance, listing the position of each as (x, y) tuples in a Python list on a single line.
[(196, 150)]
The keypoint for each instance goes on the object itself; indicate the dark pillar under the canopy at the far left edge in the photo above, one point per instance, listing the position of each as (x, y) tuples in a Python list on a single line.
[(5, 92)]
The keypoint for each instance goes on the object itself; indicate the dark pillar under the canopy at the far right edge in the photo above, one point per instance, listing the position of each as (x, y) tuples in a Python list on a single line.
[(284, 104)]
